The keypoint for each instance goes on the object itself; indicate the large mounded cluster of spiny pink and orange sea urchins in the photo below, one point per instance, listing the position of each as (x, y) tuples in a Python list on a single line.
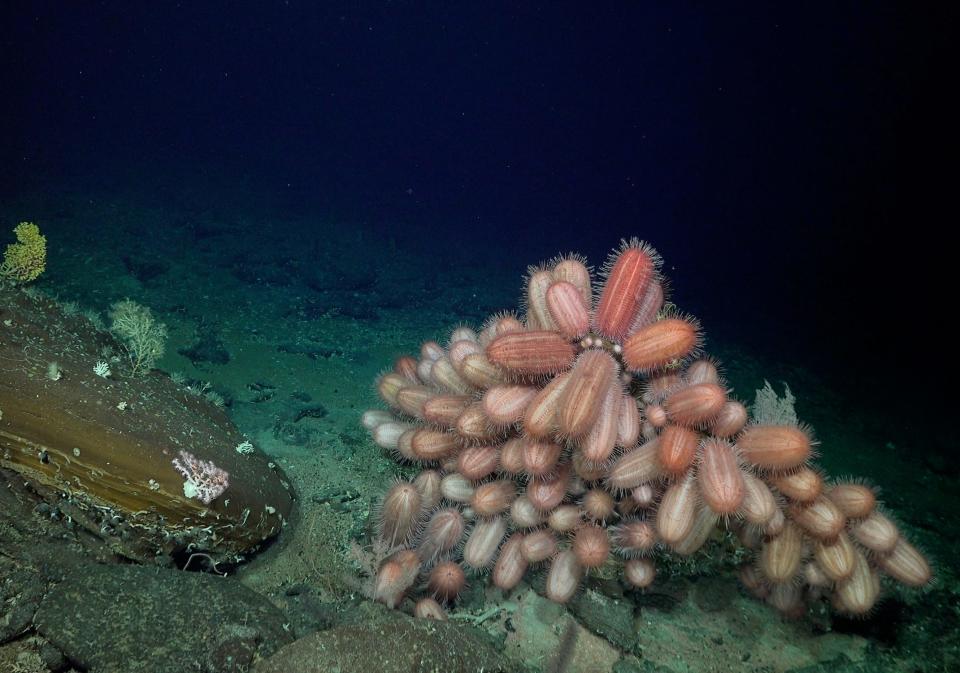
[(589, 426)]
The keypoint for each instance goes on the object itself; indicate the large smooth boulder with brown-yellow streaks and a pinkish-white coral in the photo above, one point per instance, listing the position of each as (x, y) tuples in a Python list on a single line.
[(127, 457)]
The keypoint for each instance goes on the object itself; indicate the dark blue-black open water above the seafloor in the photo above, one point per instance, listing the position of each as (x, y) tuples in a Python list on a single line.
[(790, 161)]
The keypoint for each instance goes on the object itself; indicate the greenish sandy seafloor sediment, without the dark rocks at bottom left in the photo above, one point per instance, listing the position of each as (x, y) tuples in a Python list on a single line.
[(288, 331)]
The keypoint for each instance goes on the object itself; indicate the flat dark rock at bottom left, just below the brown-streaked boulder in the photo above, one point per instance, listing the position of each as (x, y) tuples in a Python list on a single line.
[(134, 619)]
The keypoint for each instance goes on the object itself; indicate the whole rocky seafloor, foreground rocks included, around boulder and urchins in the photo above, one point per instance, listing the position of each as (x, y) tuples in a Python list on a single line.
[(292, 355)]
